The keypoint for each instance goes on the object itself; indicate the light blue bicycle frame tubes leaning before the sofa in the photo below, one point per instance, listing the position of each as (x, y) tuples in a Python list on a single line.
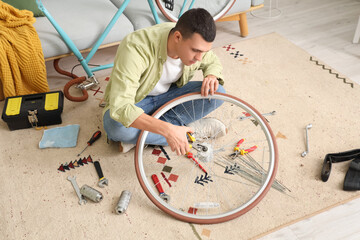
[(85, 61)]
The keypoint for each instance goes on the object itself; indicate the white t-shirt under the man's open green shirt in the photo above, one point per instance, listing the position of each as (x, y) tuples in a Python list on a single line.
[(172, 71)]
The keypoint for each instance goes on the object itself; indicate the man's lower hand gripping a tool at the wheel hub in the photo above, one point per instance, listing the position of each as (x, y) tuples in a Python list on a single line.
[(177, 139)]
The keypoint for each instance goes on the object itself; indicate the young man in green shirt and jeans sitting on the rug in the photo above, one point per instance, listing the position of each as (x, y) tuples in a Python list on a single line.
[(153, 66)]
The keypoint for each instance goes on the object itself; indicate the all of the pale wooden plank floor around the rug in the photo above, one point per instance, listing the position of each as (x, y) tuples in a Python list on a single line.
[(325, 29)]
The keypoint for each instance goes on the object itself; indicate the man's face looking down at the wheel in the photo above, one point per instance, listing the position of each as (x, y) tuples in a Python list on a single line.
[(191, 50)]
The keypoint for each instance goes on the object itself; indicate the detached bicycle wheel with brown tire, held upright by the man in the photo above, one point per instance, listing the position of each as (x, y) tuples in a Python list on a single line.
[(231, 185)]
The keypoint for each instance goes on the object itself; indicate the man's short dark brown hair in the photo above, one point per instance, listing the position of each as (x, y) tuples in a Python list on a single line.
[(196, 20)]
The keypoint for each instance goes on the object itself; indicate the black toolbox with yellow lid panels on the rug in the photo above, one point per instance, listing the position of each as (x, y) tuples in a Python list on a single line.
[(33, 110)]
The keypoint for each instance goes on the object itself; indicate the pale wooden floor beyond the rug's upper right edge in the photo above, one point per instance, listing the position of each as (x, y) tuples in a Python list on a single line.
[(324, 28)]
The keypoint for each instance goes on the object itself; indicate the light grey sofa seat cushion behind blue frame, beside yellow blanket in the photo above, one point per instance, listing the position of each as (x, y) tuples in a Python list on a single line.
[(83, 21)]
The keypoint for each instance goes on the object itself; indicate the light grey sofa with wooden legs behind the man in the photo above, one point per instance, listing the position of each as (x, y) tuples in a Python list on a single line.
[(85, 20)]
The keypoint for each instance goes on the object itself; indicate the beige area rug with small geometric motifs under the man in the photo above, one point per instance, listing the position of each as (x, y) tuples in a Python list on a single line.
[(271, 73)]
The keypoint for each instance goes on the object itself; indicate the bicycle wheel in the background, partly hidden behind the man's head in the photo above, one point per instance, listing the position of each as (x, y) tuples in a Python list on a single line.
[(217, 8)]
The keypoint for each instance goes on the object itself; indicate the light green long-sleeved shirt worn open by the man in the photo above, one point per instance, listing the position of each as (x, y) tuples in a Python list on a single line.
[(138, 67)]
